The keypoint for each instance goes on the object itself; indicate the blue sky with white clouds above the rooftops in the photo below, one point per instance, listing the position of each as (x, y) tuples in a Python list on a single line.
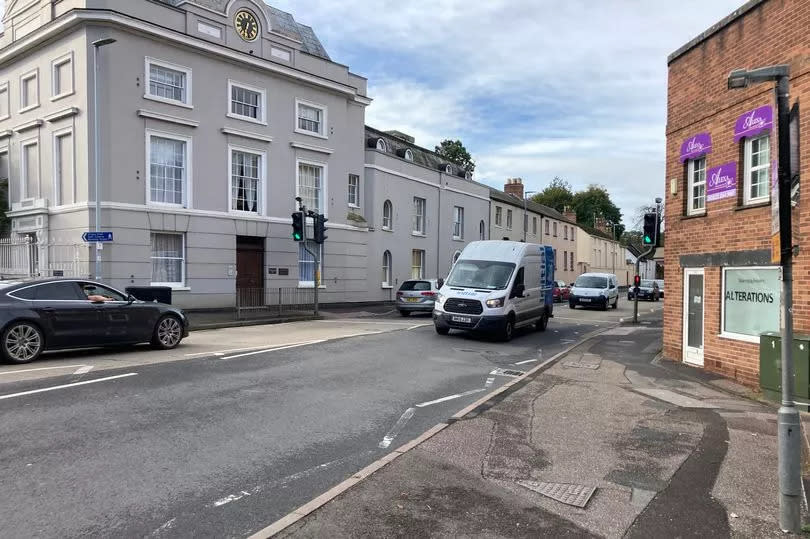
[(533, 88)]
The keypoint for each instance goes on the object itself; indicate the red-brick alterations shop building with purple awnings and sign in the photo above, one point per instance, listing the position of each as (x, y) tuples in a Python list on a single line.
[(722, 289)]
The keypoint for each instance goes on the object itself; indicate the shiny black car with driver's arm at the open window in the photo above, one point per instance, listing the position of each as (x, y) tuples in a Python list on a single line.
[(54, 314)]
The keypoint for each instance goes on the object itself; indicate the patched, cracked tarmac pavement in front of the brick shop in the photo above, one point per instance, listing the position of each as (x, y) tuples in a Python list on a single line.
[(670, 451)]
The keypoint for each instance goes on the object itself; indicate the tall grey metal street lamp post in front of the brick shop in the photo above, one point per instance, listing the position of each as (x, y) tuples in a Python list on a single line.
[(789, 431)]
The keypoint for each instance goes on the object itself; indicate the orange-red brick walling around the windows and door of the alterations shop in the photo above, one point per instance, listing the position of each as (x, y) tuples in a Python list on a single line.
[(698, 100)]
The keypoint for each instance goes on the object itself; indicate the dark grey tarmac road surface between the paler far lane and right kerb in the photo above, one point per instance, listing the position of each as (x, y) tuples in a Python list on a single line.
[(222, 445)]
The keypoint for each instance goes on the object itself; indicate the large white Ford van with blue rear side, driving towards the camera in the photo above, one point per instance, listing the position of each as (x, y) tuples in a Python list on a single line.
[(497, 286)]
